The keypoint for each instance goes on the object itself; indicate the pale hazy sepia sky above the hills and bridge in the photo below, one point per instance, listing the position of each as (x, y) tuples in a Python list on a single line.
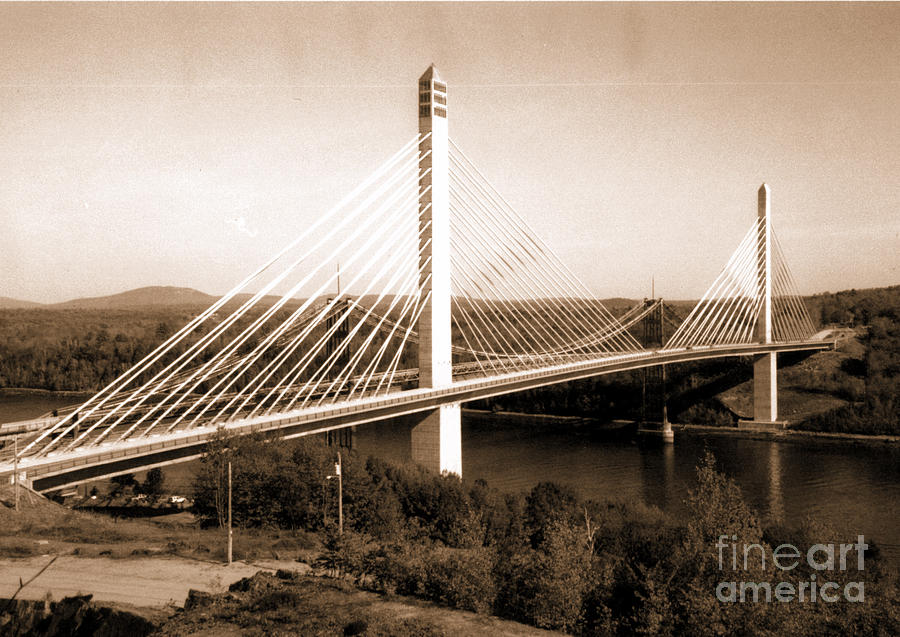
[(180, 144)]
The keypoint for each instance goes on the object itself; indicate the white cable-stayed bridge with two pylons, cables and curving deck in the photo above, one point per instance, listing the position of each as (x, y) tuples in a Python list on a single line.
[(448, 297)]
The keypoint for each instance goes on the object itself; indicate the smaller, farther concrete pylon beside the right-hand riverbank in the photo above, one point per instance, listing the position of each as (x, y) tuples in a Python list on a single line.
[(765, 367)]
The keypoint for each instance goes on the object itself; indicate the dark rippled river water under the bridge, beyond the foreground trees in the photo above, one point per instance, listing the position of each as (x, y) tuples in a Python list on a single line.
[(853, 489)]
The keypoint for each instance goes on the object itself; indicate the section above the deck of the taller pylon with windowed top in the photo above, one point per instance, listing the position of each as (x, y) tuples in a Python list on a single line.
[(435, 364)]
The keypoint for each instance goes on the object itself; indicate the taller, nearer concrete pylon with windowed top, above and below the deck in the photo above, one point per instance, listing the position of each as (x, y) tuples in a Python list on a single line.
[(436, 440)]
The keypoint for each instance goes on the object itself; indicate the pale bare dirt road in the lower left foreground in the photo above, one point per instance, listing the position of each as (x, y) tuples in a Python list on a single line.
[(141, 582)]
